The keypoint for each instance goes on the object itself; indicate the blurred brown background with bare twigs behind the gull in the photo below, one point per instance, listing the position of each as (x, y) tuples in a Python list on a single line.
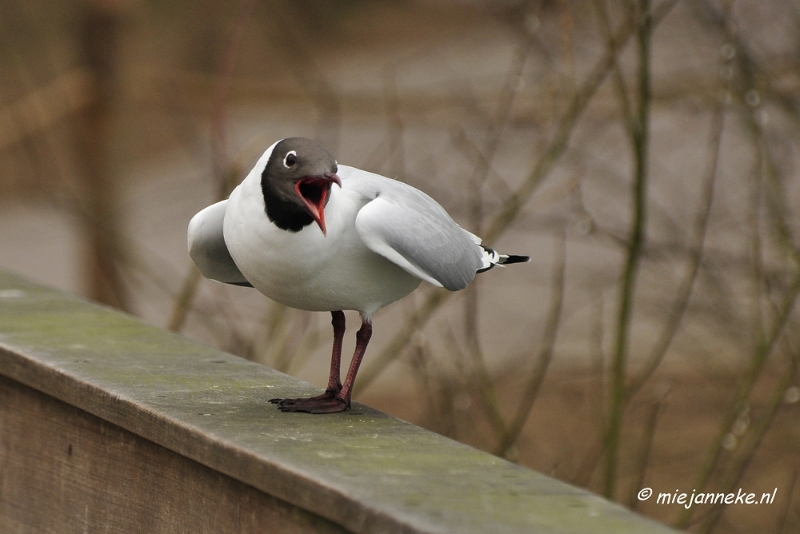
[(645, 153)]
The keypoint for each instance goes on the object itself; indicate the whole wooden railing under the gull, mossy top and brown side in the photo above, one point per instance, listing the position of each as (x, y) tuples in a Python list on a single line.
[(110, 425)]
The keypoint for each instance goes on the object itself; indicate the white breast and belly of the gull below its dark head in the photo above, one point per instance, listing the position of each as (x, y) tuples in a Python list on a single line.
[(306, 269)]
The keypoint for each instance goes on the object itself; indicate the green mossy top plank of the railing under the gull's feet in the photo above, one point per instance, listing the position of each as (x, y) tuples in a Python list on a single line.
[(362, 470)]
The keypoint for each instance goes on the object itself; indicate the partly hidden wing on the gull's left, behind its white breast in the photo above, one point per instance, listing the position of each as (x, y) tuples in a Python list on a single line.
[(207, 246)]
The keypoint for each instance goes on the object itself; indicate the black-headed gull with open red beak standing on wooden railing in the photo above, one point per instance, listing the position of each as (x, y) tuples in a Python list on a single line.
[(315, 235)]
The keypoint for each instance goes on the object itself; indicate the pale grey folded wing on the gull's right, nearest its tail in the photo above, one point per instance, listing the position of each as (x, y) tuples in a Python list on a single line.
[(412, 230)]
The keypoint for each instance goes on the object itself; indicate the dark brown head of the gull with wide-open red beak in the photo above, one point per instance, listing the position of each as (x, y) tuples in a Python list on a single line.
[(296, 183)]
